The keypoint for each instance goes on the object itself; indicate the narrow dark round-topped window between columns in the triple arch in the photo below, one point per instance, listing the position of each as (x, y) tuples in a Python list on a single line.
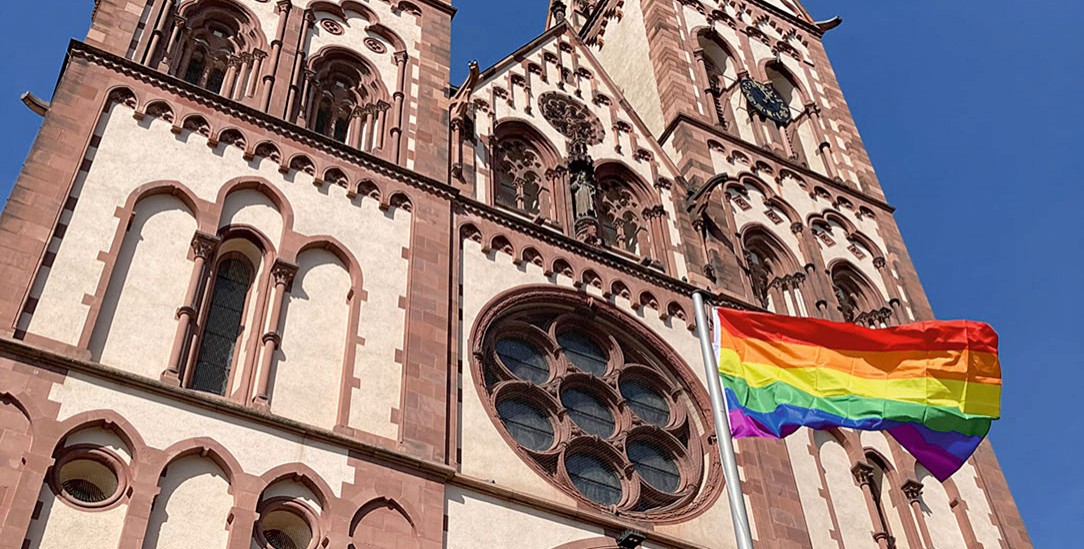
[(223, 327)]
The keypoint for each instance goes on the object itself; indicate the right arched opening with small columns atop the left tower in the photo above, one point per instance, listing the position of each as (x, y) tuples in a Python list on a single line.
[(346, 100)]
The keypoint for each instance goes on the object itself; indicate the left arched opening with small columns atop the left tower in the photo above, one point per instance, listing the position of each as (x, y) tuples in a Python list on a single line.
[(213, 53)]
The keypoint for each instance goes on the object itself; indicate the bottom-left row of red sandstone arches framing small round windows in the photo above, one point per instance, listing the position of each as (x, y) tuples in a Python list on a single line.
[(97, 465)]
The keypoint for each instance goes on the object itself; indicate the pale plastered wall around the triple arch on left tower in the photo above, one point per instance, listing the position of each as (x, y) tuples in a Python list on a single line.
[(378, 239)]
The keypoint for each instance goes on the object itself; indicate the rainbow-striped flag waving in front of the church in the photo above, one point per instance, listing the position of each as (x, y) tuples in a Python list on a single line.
[(935, 387)]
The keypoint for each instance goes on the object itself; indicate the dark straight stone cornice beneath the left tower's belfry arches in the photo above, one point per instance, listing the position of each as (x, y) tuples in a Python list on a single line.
[(267, 122)]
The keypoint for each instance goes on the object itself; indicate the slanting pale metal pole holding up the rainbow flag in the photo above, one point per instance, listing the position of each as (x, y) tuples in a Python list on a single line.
[(739, 514)]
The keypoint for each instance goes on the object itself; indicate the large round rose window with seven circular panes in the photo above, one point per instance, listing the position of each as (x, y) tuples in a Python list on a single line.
[(597, 405)]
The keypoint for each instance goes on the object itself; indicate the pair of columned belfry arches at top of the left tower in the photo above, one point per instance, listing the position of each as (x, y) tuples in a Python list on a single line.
[(338, 93)]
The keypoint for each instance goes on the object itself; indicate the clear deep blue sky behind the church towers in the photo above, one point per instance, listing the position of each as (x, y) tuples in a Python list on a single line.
[(972, 112)]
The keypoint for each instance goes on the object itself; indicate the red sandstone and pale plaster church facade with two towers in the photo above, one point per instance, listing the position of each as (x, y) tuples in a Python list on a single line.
[(268, 280)]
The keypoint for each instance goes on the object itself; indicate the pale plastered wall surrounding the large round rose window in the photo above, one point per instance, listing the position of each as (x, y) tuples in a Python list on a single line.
[(486, 455)]
